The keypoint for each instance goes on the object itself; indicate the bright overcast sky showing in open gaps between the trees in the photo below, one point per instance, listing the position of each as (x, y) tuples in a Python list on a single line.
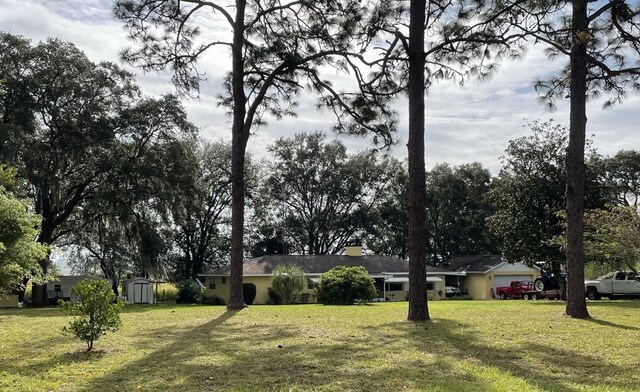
[(464, 124)]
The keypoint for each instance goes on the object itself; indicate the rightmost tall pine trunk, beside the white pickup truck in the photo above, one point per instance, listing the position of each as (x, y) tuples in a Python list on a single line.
[(576, 303)]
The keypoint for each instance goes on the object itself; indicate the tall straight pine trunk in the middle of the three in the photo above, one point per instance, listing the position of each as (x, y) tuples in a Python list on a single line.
[(418, 307)]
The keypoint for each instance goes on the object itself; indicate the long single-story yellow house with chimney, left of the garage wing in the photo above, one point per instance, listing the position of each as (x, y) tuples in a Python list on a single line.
[(391, 275)]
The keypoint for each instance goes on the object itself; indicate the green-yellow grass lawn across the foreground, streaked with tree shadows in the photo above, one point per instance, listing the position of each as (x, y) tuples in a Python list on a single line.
[(470, 346)]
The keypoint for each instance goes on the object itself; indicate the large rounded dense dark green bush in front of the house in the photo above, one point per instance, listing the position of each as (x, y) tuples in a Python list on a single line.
[(344, 286)]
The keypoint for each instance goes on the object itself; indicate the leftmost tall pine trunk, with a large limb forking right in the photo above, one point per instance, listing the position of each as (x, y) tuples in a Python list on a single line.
[(239, 139)]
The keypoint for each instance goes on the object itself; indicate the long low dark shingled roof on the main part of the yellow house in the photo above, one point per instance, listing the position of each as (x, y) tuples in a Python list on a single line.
[(318, 264)]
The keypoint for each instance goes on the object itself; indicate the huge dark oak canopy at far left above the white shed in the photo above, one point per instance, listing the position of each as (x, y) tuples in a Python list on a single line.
[(89, 144)]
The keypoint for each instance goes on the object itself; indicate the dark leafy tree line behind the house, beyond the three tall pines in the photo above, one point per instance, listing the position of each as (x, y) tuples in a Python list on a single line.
[(121, 181)]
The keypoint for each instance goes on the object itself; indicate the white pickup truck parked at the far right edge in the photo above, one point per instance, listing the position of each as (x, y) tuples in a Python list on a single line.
[(614, 284)]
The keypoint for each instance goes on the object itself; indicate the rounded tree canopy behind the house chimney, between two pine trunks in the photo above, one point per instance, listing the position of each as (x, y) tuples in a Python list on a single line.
[(320, 196)]
